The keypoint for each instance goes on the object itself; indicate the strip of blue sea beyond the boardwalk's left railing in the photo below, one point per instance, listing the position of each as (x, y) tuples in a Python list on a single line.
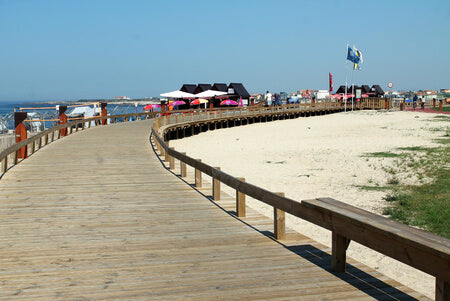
[(7, 110)]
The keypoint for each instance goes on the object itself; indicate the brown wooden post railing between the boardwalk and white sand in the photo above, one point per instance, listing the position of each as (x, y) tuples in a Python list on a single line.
[(419, 249)]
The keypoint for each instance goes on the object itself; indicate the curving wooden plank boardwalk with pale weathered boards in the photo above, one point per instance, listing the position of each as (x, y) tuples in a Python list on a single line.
[(96, 216)]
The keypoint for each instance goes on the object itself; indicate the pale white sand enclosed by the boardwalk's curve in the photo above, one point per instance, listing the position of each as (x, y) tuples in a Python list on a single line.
[(323, 156)]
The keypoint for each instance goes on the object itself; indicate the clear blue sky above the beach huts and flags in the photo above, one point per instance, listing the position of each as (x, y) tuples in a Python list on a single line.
[(73, 49)]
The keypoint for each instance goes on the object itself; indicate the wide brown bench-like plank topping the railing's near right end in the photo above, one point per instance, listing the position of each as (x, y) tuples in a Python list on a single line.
[(386, 236)]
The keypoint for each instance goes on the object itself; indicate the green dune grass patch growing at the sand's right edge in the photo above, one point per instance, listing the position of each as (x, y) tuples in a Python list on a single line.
[(428, 205)]
